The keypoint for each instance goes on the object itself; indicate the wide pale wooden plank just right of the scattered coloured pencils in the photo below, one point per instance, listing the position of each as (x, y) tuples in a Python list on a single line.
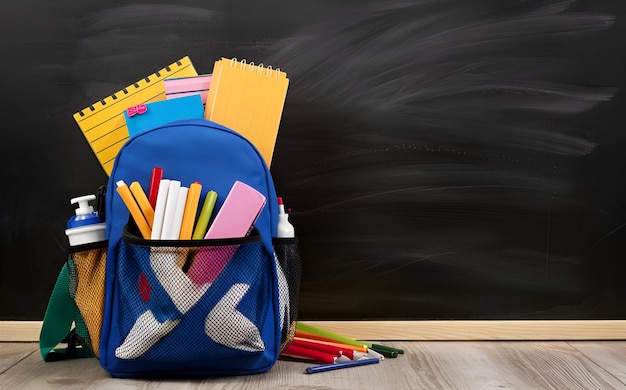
[(515, 365)]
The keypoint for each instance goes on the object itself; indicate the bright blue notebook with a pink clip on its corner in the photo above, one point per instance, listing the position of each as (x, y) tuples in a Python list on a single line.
[(144, 117)]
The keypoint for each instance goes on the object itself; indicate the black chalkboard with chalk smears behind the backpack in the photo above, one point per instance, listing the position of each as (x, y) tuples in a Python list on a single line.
[(443, 159)]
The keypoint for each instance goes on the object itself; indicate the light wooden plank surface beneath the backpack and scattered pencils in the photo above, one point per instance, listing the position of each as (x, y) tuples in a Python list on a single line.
[(425, 365)]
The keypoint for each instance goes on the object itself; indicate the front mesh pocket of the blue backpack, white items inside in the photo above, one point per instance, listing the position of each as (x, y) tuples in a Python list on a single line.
[(193, 301)]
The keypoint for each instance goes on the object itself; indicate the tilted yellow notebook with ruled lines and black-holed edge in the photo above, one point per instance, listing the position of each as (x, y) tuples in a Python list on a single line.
[(103, 123)]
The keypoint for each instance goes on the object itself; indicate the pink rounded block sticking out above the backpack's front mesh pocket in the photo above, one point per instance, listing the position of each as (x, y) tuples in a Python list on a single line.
[(242, 206)]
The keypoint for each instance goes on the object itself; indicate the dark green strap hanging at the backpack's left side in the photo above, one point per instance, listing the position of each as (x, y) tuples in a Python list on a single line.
[(61, 314)]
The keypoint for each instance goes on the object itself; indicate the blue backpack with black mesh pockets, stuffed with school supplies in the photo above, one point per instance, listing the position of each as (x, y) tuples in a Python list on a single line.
[(157, 320)]
